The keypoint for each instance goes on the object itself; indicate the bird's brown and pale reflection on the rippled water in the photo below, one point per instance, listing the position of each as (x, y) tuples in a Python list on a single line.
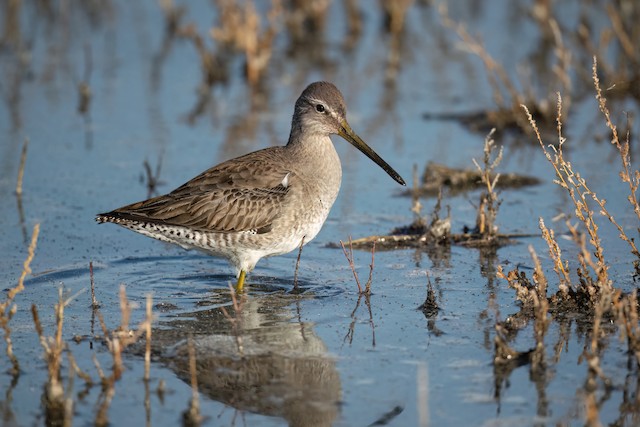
[(261, 359)]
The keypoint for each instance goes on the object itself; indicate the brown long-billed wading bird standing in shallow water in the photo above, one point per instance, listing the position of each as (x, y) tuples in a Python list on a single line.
[(264, 203)]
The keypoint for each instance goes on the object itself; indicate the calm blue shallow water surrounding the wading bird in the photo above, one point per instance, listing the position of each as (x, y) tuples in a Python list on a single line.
[(323, 356)]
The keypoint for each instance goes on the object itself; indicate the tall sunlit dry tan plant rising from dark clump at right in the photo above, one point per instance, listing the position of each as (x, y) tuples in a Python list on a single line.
[(593, 282)]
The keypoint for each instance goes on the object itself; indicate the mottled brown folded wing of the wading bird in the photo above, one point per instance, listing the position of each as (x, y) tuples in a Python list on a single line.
[(242, 194)]
